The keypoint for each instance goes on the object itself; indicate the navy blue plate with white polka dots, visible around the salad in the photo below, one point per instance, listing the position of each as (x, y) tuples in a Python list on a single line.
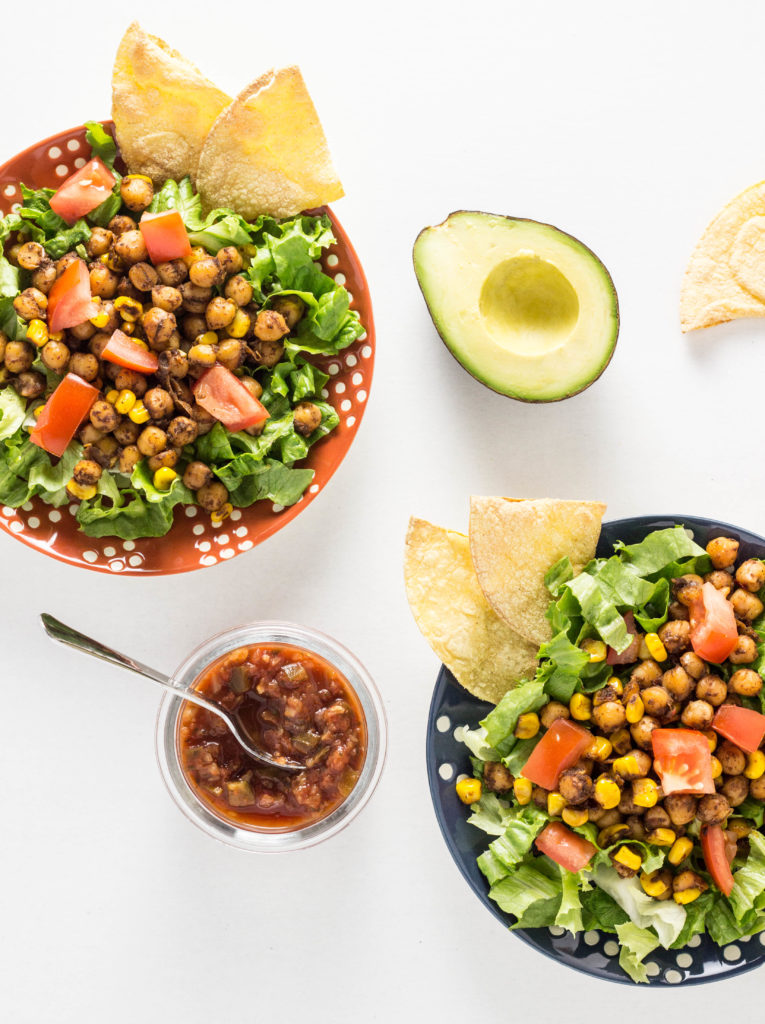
[(591, 953)]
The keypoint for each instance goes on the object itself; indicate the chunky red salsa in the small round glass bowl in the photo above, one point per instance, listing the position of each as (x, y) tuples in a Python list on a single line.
[(292, 703)]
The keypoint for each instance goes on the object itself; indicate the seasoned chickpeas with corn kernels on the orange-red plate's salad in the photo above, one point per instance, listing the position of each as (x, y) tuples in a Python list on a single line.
[(193, 313)]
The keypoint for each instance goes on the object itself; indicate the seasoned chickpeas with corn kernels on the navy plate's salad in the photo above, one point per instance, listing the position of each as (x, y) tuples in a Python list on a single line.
[(615, 785)]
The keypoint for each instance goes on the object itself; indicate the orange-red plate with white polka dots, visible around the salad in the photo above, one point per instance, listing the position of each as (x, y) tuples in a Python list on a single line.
[(194, 541)]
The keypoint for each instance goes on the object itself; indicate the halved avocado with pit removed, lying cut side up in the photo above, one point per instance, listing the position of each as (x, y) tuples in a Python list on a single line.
[(528, 310)]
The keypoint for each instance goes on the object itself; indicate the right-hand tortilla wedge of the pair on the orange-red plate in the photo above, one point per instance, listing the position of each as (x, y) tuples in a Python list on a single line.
[(268, 153)]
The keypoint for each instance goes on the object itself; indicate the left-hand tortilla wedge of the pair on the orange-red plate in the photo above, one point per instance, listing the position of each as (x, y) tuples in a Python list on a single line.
[(163, 107)]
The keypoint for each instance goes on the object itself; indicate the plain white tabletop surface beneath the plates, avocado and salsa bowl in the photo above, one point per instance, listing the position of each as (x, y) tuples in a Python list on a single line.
[(626, 125)]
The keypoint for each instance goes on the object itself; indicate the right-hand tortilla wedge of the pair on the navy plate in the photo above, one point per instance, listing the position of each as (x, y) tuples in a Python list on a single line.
[(515, 543)]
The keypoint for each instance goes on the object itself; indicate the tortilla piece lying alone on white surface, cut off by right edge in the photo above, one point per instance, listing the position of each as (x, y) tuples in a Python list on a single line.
[(726, 279)]
